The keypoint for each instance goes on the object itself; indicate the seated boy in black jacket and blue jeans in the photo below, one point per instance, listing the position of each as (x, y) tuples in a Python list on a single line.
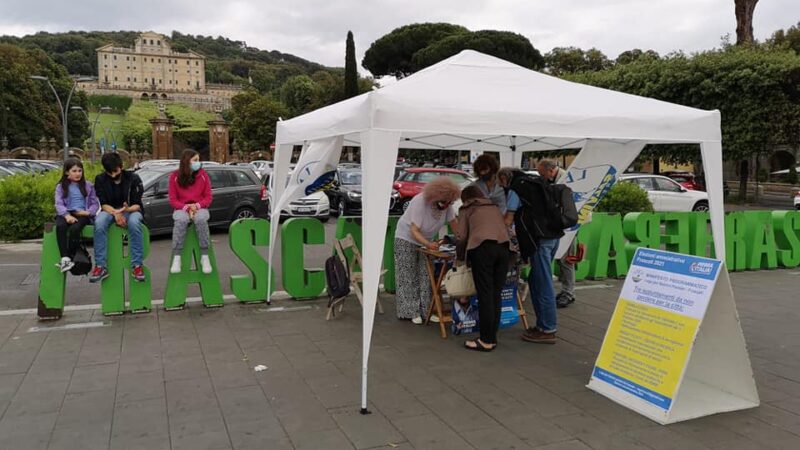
[(120, 194)]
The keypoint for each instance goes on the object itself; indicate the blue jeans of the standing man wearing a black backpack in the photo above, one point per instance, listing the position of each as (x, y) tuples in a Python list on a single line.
[(543, 296)]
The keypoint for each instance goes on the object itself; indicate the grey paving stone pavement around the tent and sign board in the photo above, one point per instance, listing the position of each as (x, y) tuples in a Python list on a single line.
[(185, 380)]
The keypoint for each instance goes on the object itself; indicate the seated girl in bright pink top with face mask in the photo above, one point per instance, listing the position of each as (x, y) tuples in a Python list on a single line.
[(190, 197)]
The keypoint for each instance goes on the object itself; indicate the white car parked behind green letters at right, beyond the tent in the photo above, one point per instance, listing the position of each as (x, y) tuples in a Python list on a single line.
[(666, 194)]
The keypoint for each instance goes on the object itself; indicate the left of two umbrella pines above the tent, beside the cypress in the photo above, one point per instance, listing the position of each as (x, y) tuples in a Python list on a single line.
[(391, 54)]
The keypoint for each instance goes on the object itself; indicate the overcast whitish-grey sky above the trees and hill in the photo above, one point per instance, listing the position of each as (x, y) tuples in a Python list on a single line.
[(316, 29)]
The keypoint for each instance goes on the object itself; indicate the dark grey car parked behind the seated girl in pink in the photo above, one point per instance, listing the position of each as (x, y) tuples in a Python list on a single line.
[(237, 192)]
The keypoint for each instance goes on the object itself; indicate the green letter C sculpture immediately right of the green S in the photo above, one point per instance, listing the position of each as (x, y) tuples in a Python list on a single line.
[(298, 281)]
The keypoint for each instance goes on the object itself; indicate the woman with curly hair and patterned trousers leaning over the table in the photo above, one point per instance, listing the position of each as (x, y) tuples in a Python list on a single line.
[(427, 213)]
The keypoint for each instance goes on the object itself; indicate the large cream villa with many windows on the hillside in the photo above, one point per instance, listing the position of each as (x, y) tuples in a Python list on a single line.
[(151, 70)]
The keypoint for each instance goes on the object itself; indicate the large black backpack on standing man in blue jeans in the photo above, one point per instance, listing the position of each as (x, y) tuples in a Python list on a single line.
[(546, 210)]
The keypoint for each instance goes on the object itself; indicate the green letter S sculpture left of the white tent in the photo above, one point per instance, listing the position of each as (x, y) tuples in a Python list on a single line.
[(245, 236)]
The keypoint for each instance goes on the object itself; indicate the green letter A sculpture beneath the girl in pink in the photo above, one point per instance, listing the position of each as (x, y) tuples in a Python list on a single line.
[(178, 283)]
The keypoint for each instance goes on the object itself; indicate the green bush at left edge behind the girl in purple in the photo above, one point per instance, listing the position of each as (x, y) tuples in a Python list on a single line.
[(27, 202)]
